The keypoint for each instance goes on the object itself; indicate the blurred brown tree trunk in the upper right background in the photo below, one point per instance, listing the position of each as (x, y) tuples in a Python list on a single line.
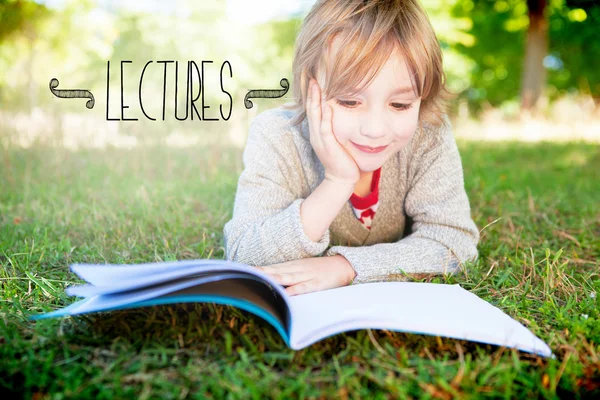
[(534, 73)]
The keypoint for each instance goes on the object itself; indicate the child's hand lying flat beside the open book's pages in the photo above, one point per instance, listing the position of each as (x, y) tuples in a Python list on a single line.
[(312, 274)]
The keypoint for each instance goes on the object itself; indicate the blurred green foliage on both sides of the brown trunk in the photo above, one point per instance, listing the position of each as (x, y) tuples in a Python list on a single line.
[(499, 29)]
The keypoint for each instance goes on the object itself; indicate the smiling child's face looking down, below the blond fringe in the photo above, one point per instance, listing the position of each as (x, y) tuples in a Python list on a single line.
[(377, 116)]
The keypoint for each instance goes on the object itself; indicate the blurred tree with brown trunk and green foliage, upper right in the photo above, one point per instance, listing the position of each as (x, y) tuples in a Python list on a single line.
[(522, 48)]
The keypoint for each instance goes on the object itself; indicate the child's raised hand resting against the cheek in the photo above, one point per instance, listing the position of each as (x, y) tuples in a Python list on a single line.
[(338, 163)]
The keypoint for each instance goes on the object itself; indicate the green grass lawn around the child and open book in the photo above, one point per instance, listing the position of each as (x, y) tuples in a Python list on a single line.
[(538, 262)]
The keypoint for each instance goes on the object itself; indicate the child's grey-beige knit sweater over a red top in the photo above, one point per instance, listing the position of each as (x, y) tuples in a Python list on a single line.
[(423, 223)]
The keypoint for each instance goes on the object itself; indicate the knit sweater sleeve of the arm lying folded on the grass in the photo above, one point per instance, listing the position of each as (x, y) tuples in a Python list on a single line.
[(443, 233)]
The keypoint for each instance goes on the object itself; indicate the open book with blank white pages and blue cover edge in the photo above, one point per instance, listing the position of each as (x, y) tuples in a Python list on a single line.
[(301, 320)]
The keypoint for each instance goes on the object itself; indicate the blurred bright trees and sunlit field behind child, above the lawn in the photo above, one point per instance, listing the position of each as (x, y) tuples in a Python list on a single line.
[(525, 70)]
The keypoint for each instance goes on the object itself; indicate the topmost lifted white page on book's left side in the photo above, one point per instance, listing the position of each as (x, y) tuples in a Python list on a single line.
[(111, 274)]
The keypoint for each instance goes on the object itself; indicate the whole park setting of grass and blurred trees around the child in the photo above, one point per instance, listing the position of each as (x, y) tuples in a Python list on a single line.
[(75, 187)]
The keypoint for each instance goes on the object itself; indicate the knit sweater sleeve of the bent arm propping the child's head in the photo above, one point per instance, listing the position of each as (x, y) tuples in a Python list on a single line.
[(265, 227)]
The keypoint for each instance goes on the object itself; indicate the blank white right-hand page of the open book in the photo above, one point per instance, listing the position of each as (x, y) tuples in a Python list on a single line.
[(426, 308)]
